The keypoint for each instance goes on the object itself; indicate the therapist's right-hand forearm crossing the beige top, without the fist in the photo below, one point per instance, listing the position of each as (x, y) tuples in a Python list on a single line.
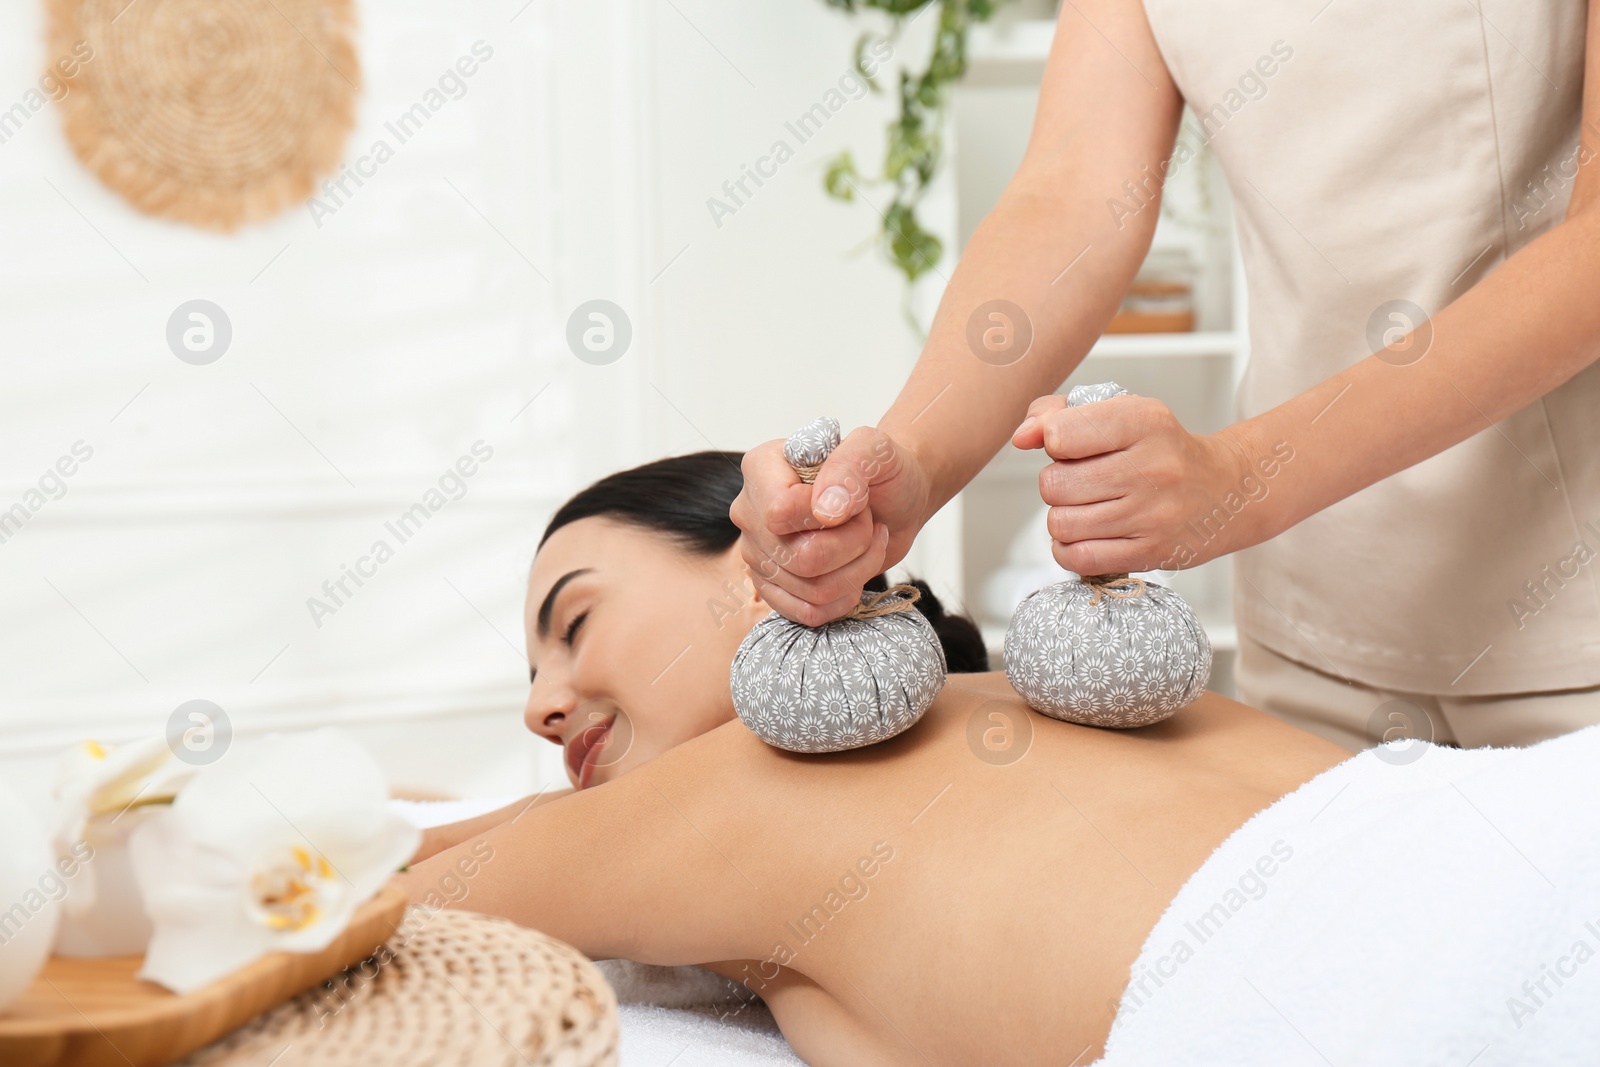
[(1513, 338)]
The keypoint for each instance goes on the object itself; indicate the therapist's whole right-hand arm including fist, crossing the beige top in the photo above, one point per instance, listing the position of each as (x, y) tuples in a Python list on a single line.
[(1130, 484)]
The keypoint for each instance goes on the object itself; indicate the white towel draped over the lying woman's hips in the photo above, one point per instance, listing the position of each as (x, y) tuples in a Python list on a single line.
[(1409, 906)]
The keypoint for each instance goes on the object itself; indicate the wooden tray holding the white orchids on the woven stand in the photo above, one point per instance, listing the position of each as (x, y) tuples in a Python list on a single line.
[(95, 1013)]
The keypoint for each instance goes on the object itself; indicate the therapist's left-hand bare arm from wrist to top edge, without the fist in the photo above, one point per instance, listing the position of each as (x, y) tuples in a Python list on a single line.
[(1108, 116)]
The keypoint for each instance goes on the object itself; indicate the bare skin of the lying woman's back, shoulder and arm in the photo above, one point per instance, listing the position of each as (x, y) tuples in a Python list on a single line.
[(916, 901)]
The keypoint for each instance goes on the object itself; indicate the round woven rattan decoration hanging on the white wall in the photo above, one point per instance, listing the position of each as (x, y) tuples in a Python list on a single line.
[(215, 113)]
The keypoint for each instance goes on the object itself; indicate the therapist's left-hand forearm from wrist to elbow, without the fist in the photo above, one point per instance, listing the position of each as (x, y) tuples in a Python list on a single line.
[(958, 410)]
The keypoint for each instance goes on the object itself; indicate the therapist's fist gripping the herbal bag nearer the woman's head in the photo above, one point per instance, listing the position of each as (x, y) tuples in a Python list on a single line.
[(814, 548)]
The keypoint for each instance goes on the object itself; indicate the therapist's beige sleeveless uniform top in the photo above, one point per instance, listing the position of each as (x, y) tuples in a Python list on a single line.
[(1401, 151)]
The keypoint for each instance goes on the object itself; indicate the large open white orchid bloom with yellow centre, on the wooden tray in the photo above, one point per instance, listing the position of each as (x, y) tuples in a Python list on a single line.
[(270, 850)]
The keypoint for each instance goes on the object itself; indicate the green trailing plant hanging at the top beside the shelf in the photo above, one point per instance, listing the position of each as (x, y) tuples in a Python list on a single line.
[(916, 140)]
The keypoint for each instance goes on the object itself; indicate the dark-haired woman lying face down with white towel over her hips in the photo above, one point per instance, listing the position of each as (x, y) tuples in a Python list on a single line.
[(929, 901)]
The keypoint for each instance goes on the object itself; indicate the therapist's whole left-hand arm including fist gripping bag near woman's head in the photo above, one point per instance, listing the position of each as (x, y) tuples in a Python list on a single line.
[(1054, 247)]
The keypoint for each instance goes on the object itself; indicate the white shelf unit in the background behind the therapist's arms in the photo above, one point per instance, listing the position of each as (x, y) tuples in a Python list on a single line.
[(1194, 374)]
